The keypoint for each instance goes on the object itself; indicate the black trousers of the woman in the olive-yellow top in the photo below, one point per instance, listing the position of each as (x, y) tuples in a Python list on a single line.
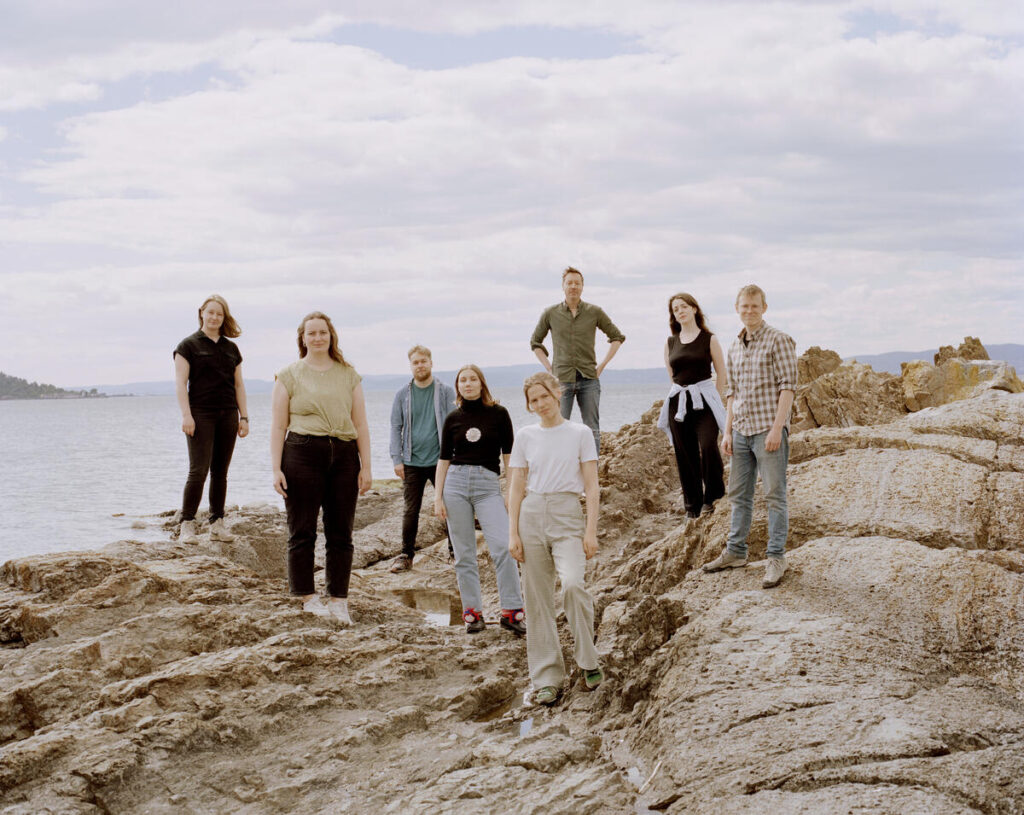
[(321, 471)]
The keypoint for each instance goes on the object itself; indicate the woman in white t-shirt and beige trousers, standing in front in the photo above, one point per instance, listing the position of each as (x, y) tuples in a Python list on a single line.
[(556, 460)]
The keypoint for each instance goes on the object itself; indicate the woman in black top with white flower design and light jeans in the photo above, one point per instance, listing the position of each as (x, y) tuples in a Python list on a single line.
[(478, 436)]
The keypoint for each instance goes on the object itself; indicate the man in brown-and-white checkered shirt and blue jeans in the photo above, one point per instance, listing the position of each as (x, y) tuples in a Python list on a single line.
[(762, 370)]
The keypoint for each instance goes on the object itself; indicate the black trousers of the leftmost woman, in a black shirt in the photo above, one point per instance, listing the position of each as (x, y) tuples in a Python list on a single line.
[(210, 450)]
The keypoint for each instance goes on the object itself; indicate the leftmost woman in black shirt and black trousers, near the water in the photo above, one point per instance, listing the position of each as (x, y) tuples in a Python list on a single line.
[(212, 398)]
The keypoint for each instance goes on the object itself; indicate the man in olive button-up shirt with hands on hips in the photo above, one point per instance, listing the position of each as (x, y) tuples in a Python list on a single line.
[(573, 325)]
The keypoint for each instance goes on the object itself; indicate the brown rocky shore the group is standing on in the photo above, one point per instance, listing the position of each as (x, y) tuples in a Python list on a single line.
[(885, 674)]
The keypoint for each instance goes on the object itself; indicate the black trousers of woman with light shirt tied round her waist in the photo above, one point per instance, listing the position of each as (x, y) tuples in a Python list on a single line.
[(698, 458)]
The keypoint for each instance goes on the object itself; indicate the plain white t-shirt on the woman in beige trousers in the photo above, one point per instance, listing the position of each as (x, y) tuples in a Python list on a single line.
[(553, 456)]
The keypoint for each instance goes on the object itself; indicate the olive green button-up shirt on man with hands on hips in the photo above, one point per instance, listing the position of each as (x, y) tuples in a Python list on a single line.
[(573, 338)]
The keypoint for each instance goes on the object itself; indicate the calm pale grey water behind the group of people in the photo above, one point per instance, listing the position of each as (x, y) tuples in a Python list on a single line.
[(78, 473)]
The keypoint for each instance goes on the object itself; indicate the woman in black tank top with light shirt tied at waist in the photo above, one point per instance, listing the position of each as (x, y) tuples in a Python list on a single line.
[(690, 356)]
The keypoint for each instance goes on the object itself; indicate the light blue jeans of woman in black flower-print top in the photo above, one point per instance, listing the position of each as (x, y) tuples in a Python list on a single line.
[(470, 491)]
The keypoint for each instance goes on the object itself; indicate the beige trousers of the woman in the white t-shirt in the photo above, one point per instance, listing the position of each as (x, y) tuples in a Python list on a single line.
[(551, 527)]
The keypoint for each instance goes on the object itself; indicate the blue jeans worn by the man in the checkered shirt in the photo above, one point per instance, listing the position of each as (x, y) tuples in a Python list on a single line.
[(749, 459)]
